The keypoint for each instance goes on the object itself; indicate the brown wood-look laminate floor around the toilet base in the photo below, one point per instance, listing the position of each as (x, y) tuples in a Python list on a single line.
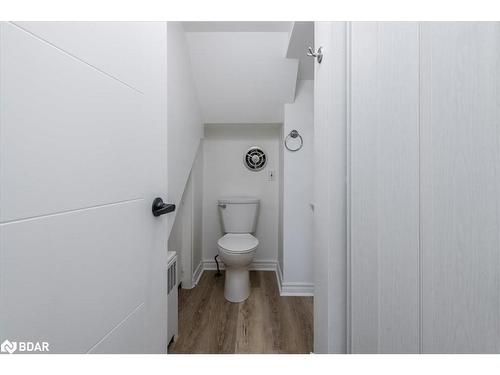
[(264, 323)]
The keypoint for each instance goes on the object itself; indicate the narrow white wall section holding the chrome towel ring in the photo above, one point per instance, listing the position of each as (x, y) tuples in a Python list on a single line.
[(297, 261)]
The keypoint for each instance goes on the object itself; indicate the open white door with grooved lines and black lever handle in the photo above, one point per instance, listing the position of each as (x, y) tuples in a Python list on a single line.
[(82, 156)]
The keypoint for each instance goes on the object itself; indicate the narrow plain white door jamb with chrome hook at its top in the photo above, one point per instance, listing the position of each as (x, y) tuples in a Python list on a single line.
[(330, 262)]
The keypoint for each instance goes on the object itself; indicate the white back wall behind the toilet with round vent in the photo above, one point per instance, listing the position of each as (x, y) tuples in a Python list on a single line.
[(225, 174)]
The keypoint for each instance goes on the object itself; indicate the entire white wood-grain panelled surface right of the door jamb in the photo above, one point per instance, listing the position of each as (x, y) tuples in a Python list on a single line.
[(424, 187)]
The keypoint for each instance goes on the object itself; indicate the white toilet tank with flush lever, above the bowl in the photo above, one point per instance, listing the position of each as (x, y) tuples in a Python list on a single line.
[(239, 214)]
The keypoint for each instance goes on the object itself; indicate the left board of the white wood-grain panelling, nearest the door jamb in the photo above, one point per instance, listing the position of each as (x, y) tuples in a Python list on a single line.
[(384, 208)]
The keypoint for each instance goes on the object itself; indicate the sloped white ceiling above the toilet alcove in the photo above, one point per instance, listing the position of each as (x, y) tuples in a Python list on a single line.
[(245, 72)]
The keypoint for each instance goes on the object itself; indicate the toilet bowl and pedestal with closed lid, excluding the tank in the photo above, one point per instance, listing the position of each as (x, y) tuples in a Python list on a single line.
[(237, 251)]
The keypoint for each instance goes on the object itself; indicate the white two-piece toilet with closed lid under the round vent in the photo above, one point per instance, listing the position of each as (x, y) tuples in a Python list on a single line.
[(237, 247)]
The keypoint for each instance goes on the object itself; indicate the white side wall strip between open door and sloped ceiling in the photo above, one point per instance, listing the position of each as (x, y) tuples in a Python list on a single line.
[(185, 127)]
